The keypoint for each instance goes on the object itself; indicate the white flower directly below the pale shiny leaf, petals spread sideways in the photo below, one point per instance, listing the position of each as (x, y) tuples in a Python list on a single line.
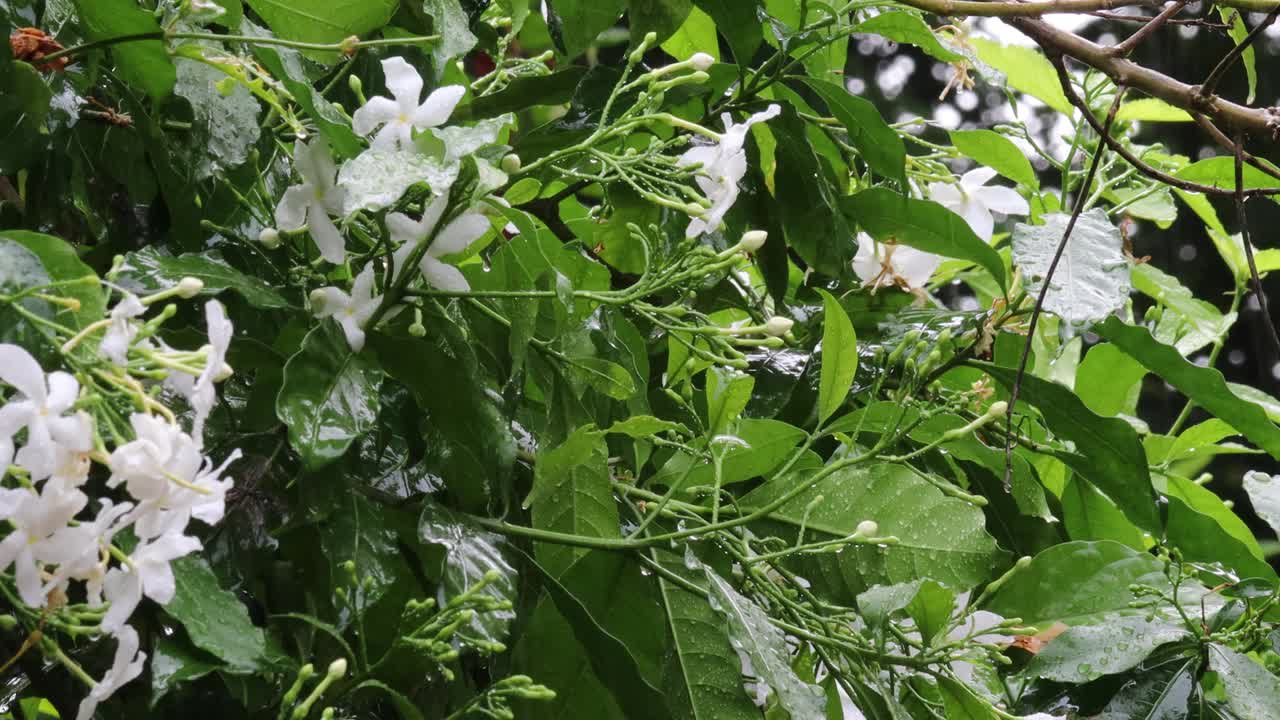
[(454, 238)]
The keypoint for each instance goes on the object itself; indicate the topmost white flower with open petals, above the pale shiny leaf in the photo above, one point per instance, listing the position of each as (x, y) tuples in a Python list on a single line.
[(401, 116)]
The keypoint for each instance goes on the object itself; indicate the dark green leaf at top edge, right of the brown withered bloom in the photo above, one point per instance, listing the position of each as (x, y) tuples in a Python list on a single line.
[(145, 63)]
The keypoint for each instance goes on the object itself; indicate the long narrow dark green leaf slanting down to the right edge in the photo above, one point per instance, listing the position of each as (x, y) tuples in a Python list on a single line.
[(1204, 386)]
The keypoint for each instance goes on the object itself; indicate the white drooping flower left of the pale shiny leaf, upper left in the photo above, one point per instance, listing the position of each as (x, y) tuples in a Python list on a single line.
[(312, 203)]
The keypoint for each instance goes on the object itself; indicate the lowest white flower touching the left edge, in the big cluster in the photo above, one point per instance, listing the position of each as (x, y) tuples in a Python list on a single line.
[(40, 523)]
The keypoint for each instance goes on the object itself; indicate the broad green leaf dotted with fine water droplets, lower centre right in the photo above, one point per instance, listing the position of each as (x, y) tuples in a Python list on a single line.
[(939, 537)]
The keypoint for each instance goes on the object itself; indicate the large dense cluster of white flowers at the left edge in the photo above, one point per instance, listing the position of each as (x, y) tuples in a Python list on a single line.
[(54, 434)]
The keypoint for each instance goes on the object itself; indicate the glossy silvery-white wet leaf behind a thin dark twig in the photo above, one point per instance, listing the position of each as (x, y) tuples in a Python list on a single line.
[(1092, 277)]
